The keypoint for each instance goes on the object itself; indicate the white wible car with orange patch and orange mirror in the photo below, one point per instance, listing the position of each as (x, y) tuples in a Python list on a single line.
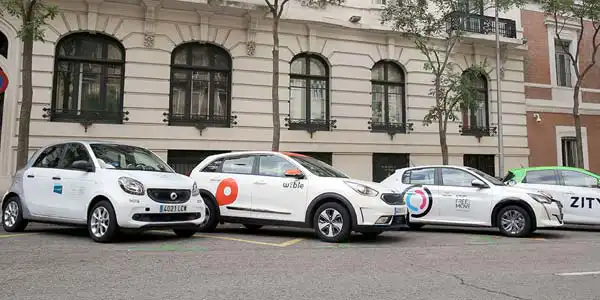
[(257, 188)]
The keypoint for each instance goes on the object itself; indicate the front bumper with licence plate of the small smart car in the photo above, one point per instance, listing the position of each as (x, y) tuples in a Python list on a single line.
[(144, 213)]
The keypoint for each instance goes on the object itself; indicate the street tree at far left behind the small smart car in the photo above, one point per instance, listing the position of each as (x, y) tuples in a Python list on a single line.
[(33, 15)]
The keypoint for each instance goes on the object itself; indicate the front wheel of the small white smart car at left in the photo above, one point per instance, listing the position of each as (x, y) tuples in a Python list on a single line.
[(102, 222)]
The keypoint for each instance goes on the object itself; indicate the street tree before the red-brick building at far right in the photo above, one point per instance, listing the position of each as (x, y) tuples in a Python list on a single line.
[(581, 19)]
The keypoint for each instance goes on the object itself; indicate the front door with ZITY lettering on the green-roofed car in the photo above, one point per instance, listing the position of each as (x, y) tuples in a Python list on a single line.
[(583, 195)]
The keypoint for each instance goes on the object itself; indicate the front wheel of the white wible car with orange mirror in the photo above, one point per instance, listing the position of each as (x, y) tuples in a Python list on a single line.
[(324, 218)]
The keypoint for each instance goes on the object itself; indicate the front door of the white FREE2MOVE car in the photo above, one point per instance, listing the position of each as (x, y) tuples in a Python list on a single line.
[(460, 201)]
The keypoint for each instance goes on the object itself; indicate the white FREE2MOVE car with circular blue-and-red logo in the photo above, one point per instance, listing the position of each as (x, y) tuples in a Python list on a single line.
[(463, 196)]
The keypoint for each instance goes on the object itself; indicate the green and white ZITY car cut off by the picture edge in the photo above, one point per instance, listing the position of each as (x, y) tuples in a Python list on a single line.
[(577, 189)]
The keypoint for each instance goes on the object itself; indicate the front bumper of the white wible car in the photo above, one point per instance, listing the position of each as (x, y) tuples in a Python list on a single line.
[(381, 218)]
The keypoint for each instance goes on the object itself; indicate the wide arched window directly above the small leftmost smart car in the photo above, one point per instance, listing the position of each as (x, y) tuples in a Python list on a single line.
[(89, 73)]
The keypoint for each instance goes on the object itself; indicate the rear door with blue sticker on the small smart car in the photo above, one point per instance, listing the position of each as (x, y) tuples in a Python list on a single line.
[(39, 182)]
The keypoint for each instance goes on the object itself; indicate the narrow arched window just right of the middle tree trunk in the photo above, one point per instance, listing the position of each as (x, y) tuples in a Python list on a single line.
[(309, 92)]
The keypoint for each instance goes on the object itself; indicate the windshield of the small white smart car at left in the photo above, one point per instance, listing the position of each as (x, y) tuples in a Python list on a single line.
[(125, 157)]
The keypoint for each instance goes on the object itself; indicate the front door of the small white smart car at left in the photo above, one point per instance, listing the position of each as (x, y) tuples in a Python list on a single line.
[(77, 185)]
